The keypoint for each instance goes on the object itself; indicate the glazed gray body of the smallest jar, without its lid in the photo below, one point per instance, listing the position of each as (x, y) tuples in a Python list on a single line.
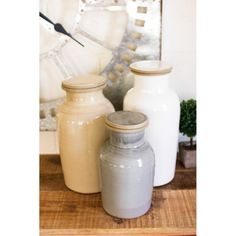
[(127, 174)]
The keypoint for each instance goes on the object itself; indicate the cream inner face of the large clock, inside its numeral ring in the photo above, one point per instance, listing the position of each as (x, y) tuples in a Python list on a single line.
[(61, 57)]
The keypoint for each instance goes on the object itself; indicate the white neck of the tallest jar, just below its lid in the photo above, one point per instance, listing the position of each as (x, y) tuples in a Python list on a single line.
[(152, 84)]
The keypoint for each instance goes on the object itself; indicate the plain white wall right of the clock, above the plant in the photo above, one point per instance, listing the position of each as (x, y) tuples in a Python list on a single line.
[(178, 44)]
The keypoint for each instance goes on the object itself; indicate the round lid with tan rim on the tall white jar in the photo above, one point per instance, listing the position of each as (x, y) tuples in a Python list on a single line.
[(150, 67)]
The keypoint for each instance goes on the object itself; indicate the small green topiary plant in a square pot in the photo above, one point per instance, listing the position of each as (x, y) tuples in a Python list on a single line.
[(187, 150)]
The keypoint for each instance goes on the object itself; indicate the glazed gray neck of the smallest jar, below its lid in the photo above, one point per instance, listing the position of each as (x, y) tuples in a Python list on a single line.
[(127, 140)]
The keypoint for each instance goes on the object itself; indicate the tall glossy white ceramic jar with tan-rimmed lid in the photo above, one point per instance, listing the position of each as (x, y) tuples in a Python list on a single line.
[(152, 96)]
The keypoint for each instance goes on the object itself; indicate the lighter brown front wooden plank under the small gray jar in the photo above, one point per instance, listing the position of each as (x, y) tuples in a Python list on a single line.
[(68, 210)]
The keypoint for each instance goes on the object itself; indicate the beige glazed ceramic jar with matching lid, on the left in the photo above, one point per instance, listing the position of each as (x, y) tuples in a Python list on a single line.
[(81, 129)]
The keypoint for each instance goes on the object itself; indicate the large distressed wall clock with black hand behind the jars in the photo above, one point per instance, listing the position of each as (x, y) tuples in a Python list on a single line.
[(114, 33)]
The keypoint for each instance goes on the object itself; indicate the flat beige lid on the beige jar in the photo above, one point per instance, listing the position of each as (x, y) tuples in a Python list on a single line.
[(84, 83)]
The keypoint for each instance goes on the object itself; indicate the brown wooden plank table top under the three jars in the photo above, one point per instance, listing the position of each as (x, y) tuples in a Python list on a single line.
[(64, 212)]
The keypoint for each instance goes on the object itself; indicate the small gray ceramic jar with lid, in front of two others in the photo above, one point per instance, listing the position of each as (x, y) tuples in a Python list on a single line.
[(127, 166)]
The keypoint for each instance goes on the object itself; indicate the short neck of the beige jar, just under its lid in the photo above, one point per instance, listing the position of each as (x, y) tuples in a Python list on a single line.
[(84, 97)]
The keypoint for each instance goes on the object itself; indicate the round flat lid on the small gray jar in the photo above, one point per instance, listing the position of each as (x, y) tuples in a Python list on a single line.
[(126, 121)]
